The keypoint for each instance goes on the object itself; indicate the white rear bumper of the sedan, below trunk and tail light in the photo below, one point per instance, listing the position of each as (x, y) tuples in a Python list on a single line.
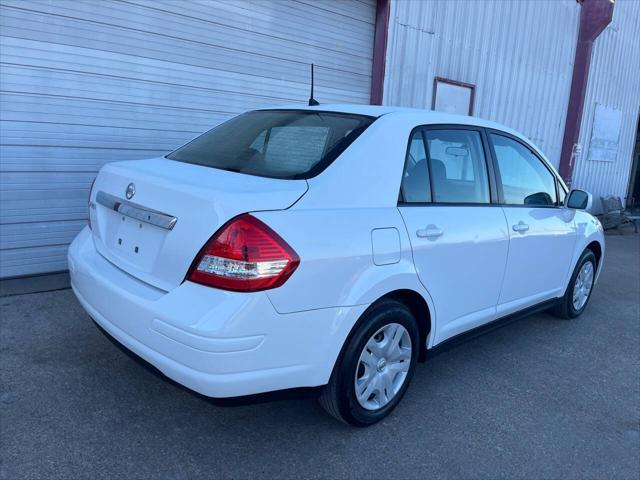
[(217, 343)]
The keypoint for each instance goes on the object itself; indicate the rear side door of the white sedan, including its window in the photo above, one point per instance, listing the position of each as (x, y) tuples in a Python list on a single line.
[(458, 235)]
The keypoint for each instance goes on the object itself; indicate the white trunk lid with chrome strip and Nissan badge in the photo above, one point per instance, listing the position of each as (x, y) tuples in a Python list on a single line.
[(151, 217)]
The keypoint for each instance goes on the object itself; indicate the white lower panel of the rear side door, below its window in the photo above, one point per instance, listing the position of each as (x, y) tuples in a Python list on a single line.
[(463, 267)]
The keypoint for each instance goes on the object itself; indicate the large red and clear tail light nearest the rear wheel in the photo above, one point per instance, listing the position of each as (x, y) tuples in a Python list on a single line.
[(244, 255)]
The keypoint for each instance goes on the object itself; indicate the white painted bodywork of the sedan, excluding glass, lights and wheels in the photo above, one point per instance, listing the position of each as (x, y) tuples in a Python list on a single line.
[(355, 244)]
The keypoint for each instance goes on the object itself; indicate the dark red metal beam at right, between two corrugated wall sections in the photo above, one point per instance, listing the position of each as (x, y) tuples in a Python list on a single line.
[(594, 17)]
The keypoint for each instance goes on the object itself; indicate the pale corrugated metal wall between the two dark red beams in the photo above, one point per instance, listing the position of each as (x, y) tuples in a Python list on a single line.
[(518, 54)]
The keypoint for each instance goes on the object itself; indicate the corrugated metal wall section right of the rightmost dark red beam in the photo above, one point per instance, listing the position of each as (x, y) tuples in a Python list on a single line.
[(614, 81)]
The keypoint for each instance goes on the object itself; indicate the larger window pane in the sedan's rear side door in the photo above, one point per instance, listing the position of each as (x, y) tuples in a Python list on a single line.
[(457, 166)]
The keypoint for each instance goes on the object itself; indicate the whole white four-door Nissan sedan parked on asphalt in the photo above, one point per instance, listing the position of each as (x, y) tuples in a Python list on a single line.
[(329, 246)]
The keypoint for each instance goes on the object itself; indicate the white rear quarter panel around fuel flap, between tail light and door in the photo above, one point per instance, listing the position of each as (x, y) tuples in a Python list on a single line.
[(336, 259)]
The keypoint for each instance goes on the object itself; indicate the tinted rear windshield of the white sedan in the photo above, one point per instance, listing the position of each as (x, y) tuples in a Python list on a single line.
[(287, 144)]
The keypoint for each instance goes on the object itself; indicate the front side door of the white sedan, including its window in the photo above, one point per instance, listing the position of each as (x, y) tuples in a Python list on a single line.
[(542, 232)]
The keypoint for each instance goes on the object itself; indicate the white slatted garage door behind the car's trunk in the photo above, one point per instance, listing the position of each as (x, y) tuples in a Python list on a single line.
[(88, 82)]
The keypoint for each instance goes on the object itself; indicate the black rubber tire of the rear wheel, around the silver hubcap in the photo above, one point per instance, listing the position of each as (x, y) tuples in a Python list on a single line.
[(339, 397)]
